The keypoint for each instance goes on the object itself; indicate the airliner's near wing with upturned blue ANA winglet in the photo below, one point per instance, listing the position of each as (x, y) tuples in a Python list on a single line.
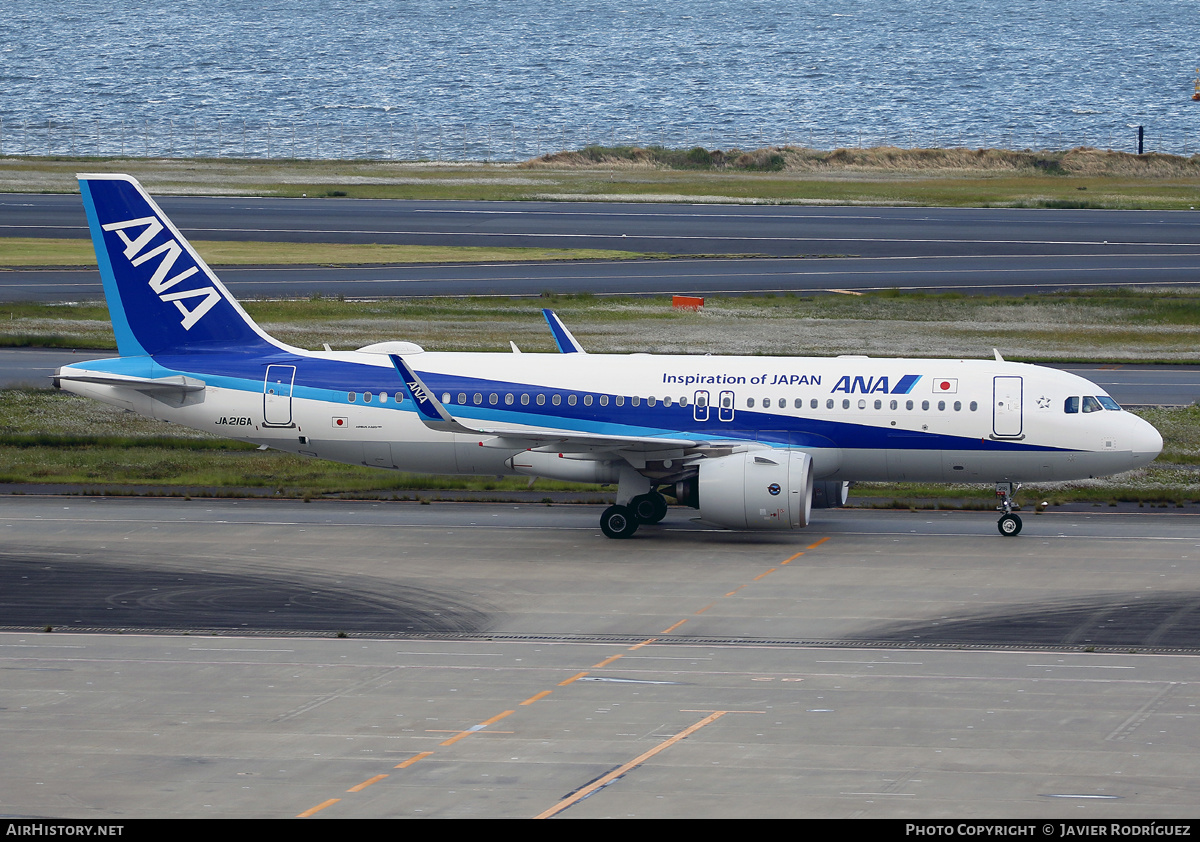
[(436, 417)]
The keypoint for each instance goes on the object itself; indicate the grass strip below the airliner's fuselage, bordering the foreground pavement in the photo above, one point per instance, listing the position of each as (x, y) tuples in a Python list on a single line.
[(49, 437)]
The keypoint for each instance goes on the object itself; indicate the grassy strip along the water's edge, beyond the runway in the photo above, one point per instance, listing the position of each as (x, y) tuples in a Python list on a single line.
[(886, 176)]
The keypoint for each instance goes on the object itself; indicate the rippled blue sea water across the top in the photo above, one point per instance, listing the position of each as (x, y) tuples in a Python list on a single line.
[(506, 80)]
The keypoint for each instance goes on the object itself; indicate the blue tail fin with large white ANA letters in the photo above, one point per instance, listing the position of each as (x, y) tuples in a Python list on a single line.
[(163, 297)]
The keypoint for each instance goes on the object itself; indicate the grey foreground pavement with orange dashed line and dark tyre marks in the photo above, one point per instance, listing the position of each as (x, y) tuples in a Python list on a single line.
[(511, 661)]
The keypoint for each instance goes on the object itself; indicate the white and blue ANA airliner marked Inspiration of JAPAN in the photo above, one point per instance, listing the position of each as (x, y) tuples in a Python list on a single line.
[(752, 442)]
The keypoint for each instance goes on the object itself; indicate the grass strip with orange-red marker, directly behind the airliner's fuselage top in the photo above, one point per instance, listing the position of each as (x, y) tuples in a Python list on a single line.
[(1109, 326)]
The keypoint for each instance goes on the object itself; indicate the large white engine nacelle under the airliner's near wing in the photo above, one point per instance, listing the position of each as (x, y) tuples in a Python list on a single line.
[(757, 490)]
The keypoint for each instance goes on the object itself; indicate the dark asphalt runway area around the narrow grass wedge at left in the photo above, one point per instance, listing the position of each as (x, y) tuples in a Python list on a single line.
[(997, 251)]
